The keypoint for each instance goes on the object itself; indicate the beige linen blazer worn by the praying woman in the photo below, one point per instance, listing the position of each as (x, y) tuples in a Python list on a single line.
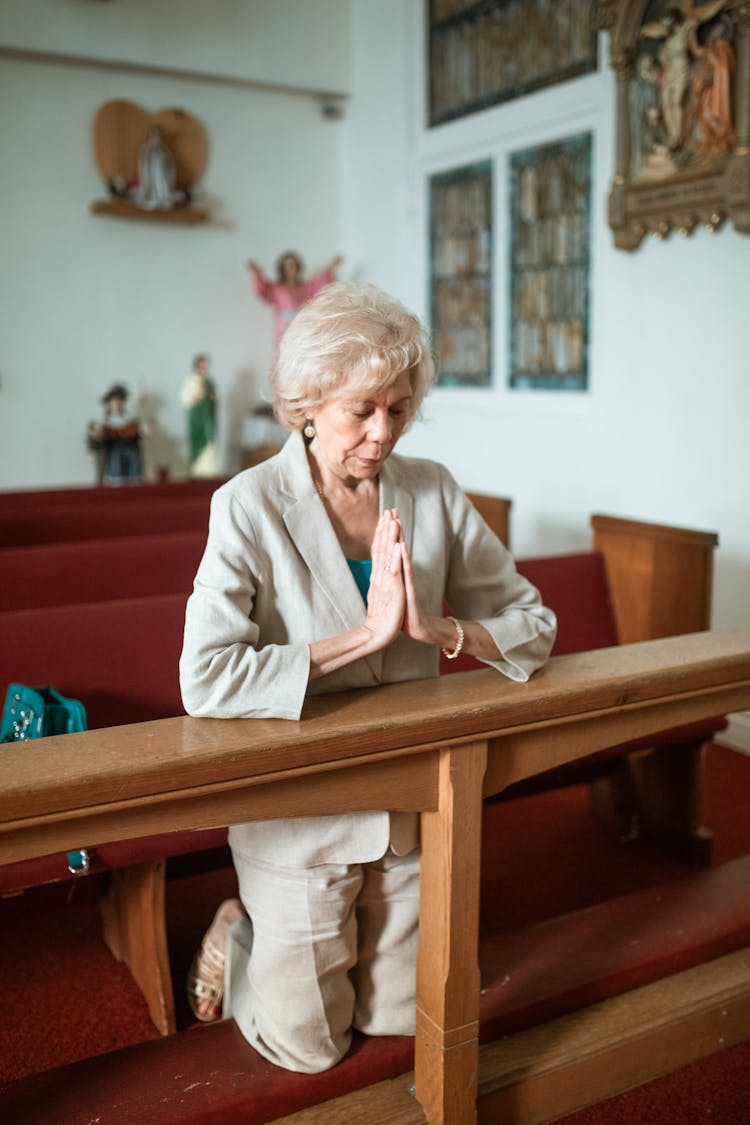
[(274, 579)]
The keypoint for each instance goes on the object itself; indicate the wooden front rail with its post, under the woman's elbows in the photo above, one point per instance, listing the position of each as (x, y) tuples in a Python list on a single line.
[(437, 748)]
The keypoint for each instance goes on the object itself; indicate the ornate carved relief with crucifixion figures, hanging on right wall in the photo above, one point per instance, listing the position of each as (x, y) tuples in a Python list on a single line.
[(683, 116)]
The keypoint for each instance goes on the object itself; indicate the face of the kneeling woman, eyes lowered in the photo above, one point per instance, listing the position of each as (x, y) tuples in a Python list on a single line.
[(355, 435)]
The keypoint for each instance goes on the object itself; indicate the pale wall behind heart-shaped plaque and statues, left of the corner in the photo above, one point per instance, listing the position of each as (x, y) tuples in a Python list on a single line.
[(87, 301)]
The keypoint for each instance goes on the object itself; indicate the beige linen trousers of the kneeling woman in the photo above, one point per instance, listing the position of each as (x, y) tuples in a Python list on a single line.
[(328, 949)]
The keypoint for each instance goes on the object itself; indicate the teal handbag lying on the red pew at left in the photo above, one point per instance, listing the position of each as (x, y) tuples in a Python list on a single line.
[(37, 713)]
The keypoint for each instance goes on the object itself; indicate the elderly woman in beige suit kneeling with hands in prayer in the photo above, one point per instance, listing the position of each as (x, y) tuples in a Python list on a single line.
[(328, 568)]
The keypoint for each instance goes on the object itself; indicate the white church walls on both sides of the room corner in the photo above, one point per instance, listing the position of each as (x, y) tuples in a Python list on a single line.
[(85, 301)]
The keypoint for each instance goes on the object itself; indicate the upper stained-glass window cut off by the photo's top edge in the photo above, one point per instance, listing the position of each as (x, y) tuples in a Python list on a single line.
[(483, 52)]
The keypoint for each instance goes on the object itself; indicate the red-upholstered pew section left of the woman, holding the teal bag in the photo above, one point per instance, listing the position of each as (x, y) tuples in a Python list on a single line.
[(121, 660)]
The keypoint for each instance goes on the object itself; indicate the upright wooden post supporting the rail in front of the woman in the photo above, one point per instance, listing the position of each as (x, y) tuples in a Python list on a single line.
[(447, 1048)]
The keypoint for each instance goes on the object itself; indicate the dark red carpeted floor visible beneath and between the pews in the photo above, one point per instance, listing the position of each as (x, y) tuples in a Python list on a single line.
[(66, 998)]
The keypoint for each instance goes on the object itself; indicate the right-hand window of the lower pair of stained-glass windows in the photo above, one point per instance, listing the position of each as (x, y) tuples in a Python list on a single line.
[(550, 240)]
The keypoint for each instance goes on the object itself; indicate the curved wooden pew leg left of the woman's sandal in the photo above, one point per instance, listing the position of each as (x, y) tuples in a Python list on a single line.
[(134, 929)]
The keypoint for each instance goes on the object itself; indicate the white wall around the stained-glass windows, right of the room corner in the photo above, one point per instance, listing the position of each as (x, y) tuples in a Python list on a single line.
[(663, 433)]
